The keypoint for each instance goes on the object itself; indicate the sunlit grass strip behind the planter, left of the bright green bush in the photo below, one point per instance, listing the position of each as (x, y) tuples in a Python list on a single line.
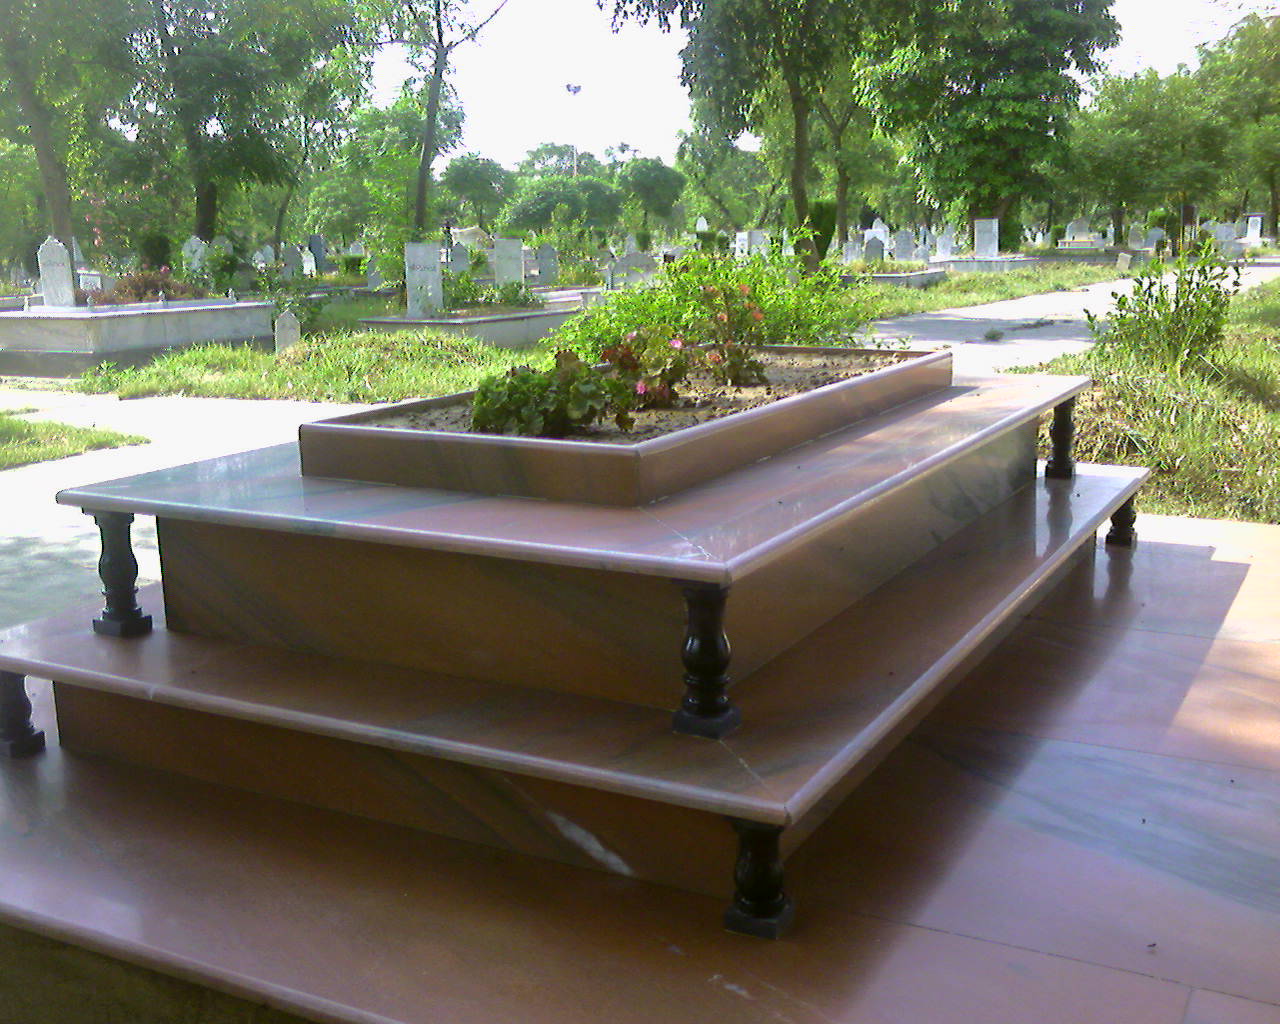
[(367, 367)]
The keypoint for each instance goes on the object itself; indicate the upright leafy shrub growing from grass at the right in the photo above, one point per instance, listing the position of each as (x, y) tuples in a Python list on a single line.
[(1176, 313)]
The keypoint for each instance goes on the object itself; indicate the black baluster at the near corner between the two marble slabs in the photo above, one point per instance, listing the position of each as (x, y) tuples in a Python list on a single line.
[(706, 710)]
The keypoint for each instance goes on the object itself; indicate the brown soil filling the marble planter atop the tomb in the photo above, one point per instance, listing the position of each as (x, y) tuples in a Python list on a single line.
[(702, 399)]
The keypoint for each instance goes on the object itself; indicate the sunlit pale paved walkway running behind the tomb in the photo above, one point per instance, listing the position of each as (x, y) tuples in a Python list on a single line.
[(49, 554)]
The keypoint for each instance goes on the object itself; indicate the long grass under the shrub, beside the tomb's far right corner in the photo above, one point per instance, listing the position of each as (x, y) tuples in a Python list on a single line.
[(1210, 435)]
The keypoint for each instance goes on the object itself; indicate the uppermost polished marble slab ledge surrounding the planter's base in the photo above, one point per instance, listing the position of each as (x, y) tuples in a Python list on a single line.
[(715, 533)]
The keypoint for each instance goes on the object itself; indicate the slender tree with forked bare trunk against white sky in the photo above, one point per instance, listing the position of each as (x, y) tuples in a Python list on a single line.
[(432, 30)]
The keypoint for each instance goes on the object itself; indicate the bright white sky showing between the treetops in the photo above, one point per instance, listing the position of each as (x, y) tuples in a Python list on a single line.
[(513, 81)]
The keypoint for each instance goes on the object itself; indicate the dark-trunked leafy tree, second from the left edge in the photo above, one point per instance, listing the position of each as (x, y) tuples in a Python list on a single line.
[(208, 72)]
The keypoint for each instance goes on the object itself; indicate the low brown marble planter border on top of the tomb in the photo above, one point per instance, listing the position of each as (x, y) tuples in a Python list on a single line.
[(355, 449)]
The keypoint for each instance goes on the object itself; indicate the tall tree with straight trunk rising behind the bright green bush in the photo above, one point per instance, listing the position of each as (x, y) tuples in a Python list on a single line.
[(735, 47)]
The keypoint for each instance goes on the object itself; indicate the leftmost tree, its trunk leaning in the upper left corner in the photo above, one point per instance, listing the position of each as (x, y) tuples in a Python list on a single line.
[(58, 72)]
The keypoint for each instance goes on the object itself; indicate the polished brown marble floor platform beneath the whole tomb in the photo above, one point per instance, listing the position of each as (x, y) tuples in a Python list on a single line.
[(1087, 831)]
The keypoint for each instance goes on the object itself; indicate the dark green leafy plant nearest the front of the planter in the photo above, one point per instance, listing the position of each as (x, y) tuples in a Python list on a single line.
[(550, 404)]
